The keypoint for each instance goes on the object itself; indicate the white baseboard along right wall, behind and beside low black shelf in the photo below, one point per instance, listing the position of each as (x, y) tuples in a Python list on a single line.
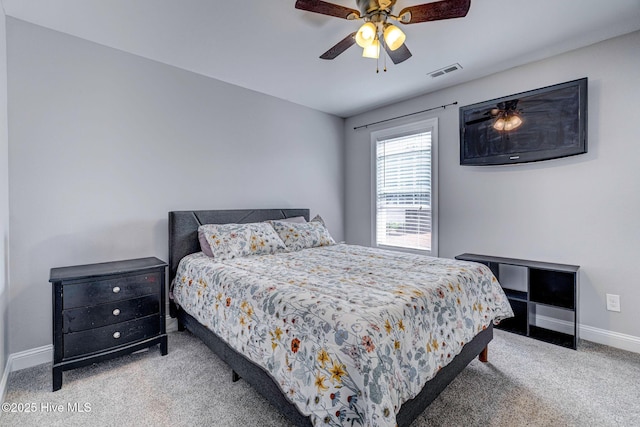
[(589, 333)]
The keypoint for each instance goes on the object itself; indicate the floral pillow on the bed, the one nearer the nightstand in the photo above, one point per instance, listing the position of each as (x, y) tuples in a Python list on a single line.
[(236, 240)]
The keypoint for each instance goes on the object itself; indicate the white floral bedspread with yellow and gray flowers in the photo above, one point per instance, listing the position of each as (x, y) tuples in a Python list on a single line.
[(348, 332)]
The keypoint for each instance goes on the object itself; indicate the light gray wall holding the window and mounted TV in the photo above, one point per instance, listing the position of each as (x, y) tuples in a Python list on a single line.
[(581, 210)]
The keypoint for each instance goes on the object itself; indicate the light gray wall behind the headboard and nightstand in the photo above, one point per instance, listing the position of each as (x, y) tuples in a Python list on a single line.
[(104, 143)]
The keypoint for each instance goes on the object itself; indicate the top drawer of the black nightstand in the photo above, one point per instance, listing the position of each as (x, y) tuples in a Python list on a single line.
[(103, 291)]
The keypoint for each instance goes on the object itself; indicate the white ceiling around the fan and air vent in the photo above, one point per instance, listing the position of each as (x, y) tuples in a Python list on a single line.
[(271, 47)]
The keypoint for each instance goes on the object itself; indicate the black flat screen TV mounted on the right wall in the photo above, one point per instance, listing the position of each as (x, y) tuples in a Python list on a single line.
[(541, 124)]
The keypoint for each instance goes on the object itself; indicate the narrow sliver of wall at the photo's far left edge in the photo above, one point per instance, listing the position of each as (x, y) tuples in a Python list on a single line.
[(4, 202)]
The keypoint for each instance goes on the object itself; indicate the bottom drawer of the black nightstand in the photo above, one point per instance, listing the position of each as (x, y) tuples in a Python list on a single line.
[(99, 339)]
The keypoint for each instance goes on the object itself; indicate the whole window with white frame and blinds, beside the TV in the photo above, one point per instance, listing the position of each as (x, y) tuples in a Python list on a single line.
[(405, 214)]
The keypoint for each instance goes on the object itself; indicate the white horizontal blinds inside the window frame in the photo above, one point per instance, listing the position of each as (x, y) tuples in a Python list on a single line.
[(403, 191)]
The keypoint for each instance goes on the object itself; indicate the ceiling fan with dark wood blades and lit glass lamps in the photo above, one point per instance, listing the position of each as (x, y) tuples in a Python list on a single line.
[(377, 30)]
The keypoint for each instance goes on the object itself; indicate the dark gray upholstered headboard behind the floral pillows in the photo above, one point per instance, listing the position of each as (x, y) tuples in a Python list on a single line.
[(183, 227)]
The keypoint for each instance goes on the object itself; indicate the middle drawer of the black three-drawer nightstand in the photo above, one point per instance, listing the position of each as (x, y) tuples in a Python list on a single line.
[(79, 319)]
